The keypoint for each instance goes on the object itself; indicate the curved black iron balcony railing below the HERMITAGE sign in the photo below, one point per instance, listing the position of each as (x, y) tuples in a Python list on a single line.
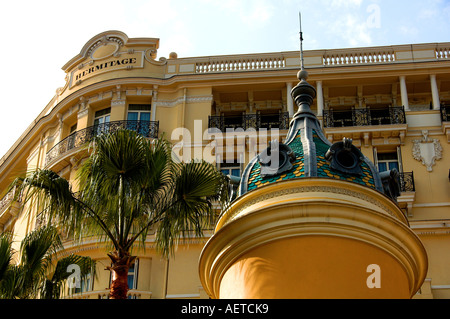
[(79, 138)]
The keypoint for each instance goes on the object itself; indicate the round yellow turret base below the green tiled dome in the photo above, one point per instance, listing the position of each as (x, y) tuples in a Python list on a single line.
[(313, 238)]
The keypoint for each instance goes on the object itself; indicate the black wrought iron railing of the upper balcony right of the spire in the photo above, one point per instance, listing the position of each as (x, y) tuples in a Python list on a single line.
[(364, 117)]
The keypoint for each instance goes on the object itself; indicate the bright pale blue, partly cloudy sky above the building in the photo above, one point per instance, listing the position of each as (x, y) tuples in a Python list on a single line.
[(39, 37)]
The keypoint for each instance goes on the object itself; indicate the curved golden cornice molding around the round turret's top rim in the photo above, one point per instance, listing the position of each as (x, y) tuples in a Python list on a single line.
[(318, 215)]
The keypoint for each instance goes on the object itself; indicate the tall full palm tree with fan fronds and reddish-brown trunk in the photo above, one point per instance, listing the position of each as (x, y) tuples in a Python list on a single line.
[(127, 185)]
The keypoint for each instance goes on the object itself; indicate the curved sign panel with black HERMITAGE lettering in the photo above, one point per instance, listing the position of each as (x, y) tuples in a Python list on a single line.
[(97, 67)]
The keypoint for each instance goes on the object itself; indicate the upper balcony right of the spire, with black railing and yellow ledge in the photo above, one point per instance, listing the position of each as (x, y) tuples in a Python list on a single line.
[(380, 125)]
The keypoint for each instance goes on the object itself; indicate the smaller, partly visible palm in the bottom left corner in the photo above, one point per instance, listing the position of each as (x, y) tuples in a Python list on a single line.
[(39, 273)]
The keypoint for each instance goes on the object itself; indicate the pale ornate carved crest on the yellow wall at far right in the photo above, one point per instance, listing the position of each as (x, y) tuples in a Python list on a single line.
[(427, 150)]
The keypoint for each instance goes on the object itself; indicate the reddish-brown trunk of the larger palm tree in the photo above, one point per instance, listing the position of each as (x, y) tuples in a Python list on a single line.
[(121, 262)]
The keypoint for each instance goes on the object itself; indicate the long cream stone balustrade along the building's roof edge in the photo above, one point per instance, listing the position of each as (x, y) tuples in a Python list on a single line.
[(312, 59)]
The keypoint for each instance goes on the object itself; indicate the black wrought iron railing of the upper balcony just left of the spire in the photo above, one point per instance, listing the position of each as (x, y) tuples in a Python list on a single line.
[(257, 121)]
